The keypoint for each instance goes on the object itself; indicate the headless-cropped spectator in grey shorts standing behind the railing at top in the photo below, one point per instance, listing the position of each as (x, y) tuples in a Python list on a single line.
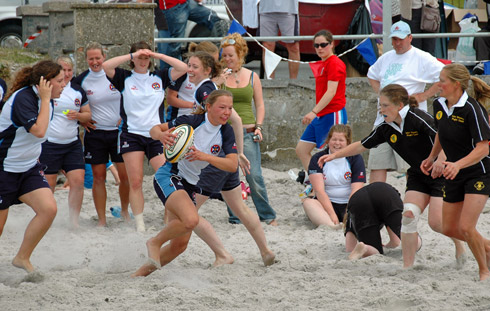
[(281, 15)]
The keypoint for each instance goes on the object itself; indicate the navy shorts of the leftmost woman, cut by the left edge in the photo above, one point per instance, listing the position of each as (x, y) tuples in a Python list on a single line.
[(15, 185)]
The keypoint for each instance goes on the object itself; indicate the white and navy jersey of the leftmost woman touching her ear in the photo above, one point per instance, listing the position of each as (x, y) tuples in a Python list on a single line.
[(20, 150)]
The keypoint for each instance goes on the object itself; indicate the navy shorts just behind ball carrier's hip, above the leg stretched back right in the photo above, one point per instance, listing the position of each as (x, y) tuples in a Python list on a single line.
[(213, 180)]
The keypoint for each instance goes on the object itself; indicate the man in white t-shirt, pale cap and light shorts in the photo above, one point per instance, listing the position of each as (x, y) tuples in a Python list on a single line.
[(410, 67)]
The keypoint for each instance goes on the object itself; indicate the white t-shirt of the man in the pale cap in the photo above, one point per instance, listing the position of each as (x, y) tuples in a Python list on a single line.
[(412, 70)]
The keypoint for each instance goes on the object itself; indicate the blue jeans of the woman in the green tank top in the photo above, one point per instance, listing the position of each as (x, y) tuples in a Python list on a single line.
[(256, 182)]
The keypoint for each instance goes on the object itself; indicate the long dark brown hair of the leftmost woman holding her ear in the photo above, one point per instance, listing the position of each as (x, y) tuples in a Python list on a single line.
[(28, 76)]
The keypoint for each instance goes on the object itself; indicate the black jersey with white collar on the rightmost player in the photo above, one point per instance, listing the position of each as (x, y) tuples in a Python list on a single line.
[(460, 128)]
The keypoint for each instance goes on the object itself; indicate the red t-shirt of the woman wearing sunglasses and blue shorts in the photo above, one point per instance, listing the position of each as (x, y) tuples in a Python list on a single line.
[(333, 69)]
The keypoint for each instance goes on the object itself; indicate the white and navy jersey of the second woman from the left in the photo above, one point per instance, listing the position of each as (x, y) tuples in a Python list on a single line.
[(61, 129)]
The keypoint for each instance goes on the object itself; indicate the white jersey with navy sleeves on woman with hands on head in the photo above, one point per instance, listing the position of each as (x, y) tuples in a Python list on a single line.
[(142, 98)]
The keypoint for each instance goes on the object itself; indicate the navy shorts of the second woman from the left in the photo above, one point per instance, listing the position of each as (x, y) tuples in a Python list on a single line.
[(67, 157)]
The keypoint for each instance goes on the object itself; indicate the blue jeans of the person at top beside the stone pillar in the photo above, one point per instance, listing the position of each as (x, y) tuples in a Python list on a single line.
[(177, 17)]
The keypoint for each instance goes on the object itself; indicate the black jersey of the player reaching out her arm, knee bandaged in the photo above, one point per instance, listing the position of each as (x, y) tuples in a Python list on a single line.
[(413, 141)]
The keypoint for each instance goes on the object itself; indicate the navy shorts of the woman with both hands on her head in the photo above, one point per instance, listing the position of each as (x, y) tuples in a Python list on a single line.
[(129, 142)]
